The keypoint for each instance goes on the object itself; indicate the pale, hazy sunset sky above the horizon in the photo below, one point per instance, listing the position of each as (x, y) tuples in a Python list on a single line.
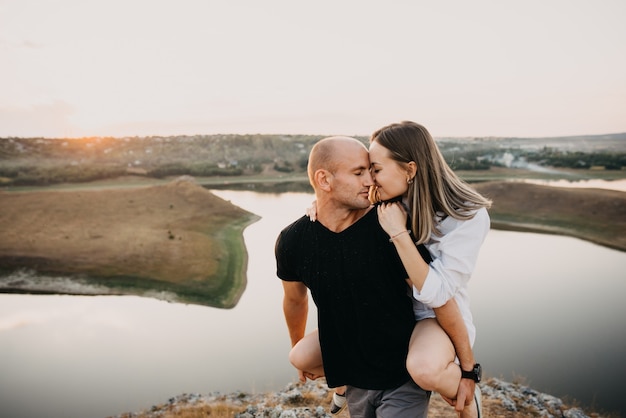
[(533, 68)]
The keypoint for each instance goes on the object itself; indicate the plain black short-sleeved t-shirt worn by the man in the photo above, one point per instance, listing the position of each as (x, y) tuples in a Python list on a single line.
[(357, 282)]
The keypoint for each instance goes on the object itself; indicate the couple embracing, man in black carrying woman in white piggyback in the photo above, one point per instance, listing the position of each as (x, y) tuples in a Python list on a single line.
[(386, 252)]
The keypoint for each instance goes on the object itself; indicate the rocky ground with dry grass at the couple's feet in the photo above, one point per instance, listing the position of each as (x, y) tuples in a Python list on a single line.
[(500, 399)]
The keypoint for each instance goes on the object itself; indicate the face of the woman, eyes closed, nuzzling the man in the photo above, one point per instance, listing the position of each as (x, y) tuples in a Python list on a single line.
[(389, 176)]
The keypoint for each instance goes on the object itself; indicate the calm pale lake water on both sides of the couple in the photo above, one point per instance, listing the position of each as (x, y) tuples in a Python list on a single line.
[(548, 309)]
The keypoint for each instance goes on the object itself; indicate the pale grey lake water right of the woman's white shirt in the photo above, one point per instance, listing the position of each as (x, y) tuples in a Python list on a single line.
[(549, 309)]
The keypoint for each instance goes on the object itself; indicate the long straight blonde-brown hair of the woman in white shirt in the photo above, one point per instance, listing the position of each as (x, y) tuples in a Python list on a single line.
[(436, 191)]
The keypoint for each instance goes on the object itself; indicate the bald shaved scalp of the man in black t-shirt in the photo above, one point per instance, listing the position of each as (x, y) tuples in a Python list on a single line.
[(329, 152)]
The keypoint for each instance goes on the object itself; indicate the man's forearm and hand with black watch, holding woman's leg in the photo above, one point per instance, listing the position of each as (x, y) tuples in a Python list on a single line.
[(450, 319)]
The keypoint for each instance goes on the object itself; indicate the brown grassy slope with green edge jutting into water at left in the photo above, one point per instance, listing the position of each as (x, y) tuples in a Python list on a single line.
[(176, 237)]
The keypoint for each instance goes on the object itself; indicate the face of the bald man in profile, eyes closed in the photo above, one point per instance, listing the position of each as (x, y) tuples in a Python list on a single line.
[(352, 178)]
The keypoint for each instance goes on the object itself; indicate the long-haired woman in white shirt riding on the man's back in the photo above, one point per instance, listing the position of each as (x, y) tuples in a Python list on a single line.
[(451, 220)]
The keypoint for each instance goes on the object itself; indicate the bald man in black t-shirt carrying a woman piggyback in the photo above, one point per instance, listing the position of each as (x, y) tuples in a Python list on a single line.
[(358, 284)]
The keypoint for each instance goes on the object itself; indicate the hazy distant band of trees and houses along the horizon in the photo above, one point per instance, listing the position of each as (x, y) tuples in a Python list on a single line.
[(27, 161)]
